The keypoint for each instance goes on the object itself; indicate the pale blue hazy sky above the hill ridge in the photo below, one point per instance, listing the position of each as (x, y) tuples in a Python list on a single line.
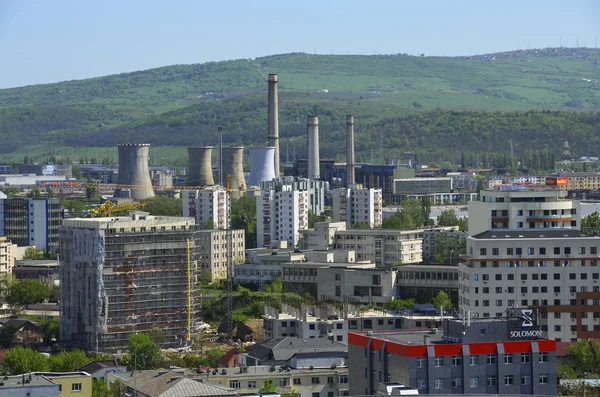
[(46, 41)]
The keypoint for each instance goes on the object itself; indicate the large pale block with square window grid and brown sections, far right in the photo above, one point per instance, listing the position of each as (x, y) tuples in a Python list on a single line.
[(554, 272)]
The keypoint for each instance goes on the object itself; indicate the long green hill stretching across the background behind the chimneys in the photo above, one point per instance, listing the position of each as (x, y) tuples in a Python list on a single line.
[(394, 99)]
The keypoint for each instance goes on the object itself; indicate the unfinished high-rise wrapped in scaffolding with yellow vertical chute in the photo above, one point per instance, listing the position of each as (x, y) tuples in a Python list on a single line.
[(121, 275)]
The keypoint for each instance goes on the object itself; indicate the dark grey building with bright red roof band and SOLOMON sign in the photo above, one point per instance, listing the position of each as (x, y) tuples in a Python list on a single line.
[(478, 358)]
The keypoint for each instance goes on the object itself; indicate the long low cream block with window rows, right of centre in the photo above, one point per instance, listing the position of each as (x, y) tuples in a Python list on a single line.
[(384, 247)]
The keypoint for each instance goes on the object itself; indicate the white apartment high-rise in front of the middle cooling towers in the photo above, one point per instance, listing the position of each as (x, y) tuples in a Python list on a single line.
[(208, 206)]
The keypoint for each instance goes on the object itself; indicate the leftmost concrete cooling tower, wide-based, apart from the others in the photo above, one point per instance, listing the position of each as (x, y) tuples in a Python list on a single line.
[(133, 170)]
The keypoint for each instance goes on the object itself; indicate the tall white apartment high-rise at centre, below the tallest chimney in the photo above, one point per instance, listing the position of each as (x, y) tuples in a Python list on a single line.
[(282, 208)]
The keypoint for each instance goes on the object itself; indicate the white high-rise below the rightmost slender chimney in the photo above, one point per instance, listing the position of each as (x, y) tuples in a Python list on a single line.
[(357, 205)]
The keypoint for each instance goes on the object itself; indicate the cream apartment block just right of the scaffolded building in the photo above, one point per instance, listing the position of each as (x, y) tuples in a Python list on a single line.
[(213, 247)]
